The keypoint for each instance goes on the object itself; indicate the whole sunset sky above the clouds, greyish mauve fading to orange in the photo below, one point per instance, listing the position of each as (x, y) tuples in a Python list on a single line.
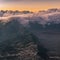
[(31, 5)]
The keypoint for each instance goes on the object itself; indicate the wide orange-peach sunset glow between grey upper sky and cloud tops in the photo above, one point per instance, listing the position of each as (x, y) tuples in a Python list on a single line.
[(30, 7)]
